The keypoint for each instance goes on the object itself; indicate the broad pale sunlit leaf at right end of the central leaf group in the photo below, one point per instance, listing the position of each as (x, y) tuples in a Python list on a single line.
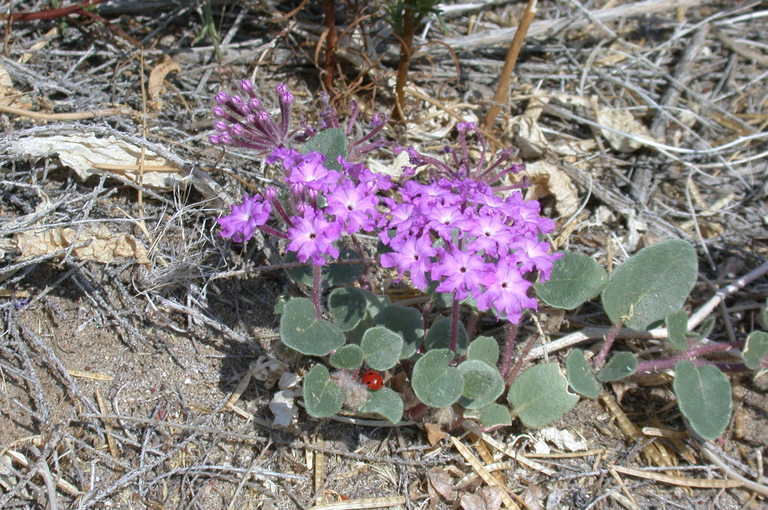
[(540, 395)]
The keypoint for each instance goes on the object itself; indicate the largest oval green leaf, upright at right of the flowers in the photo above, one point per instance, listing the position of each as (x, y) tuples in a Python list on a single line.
[(652, 283)]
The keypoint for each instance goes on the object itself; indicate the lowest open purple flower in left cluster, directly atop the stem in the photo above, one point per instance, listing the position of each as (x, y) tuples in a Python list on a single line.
[(312, 237)]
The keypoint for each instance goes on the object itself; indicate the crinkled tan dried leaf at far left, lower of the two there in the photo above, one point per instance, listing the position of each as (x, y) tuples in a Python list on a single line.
[(105, 245)]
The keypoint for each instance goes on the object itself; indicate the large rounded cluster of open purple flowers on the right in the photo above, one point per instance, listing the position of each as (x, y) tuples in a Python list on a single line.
[(460, 234)]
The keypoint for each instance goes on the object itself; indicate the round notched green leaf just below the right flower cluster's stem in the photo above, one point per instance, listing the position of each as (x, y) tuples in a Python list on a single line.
[(434, 382)]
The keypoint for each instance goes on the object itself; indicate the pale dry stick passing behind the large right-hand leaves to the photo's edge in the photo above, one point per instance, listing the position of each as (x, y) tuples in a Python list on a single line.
[(658, 333)]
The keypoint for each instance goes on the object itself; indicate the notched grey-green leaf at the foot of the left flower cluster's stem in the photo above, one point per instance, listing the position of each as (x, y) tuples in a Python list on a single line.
[(303, 332)]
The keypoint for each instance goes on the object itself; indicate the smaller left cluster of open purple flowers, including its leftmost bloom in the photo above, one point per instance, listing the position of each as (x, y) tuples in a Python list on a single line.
[(326, 204)]
